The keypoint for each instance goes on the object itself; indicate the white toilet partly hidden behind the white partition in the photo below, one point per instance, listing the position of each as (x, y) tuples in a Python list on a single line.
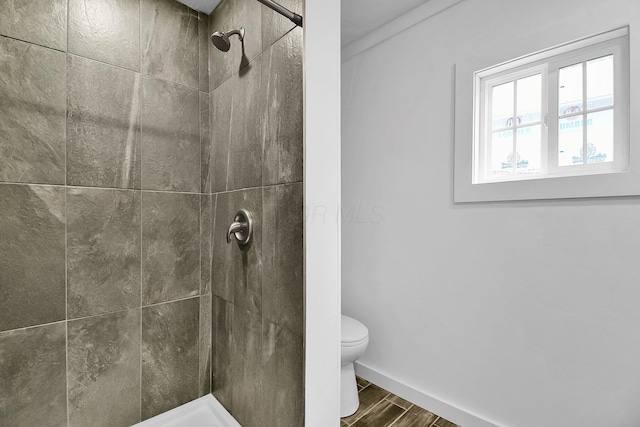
[(355, 338)]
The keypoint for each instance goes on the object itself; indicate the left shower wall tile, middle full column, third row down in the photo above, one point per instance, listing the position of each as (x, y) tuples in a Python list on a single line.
[(103, 258)]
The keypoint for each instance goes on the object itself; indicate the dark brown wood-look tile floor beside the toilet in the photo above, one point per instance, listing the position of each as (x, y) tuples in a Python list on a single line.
[(380, 408)]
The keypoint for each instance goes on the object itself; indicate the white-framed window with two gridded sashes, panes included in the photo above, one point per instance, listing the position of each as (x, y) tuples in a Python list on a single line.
[(557, 113)]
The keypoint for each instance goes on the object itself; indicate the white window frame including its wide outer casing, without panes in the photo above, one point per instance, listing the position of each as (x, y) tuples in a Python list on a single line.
[(618, 179)]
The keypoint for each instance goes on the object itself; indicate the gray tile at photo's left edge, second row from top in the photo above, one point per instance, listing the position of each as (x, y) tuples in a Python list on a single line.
[(32, 123)]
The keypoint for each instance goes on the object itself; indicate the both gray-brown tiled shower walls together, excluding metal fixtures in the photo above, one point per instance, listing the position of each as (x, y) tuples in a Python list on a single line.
[(122, 163)]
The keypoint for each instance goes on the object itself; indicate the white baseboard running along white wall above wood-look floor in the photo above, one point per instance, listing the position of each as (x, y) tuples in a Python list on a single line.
[(437, 406)]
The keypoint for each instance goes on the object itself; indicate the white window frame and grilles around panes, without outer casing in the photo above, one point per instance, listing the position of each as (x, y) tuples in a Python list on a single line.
[(547, 64)]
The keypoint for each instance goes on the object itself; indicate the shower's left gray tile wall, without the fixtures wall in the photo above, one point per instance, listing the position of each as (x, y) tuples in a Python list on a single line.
[(105, 211)]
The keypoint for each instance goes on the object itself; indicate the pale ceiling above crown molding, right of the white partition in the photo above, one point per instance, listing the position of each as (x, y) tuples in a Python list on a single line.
[(360, 17)]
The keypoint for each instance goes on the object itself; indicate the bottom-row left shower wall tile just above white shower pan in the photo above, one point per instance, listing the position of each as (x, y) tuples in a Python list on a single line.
[(169, 355)]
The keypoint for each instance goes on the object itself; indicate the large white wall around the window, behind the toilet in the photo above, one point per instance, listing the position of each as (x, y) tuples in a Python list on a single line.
[(524, 313)]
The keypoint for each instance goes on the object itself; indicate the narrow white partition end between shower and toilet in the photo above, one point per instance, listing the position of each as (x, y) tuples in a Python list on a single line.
[(321, 202)]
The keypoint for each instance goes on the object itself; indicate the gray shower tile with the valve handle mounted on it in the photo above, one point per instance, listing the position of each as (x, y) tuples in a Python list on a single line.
[(236, 272)]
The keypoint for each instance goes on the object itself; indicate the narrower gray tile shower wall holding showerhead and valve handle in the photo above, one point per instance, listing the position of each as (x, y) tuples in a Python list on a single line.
[(255, 162)]
